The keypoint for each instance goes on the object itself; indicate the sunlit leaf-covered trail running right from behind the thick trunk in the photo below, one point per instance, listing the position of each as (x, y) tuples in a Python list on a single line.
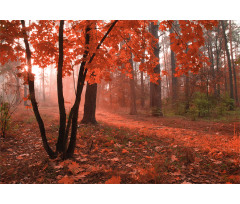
[(209, 136)]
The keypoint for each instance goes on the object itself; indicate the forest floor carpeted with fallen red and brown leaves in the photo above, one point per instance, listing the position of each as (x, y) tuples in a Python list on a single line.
[(123, 149)]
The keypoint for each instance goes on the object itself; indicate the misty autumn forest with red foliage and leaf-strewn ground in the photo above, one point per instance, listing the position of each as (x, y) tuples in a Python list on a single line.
[(120, 101)]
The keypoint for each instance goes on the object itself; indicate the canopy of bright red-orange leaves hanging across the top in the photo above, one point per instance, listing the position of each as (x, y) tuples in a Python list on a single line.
[(133, 36)]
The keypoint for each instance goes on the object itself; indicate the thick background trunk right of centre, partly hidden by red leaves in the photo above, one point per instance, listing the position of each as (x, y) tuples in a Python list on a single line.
[(155, 89)]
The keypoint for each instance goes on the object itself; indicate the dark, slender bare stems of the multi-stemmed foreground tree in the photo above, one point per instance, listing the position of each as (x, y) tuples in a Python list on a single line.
[(73, 116)]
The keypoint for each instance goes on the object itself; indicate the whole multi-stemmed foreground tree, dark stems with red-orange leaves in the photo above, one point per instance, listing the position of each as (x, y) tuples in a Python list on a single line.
[(96, 54)]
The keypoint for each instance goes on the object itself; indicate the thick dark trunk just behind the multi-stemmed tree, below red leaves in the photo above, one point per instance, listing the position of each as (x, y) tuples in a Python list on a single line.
[(90, 104)]
